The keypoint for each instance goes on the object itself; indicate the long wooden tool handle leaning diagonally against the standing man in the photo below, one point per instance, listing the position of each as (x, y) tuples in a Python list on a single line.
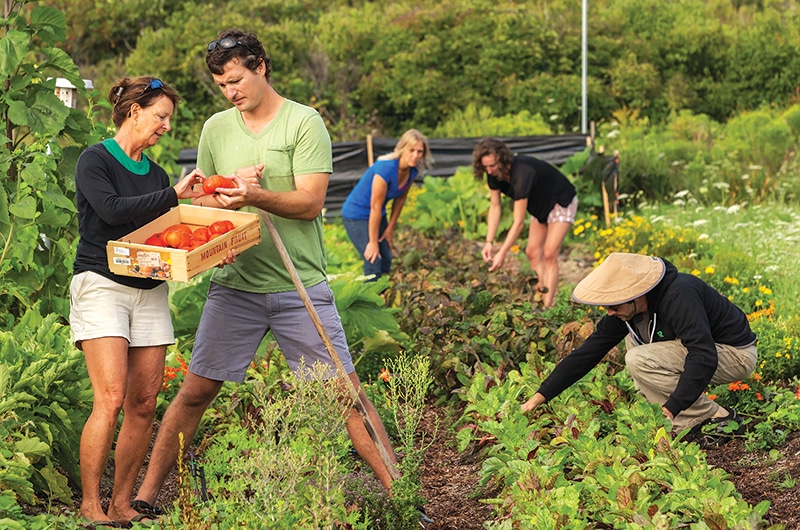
[(312, 312)]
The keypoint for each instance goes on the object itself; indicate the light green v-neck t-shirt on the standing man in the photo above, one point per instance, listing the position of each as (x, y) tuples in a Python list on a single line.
[(295, 142)]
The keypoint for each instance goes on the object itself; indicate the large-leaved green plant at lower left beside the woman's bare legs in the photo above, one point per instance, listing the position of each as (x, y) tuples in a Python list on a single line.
[(45, 398)]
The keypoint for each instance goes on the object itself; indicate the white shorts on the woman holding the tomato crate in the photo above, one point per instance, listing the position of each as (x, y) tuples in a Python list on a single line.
[(100, 307)]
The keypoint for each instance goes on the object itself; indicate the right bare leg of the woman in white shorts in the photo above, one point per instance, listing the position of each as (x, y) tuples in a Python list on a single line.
[(145, 373)]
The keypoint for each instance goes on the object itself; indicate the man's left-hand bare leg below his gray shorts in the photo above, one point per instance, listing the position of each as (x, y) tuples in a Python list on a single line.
[(183, 416)]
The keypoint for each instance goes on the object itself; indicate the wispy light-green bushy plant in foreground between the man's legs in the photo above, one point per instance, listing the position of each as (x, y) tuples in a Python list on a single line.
[(290, 453)]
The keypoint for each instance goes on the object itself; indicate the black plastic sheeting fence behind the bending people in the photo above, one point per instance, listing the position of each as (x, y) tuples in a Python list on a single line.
[(350, 158)]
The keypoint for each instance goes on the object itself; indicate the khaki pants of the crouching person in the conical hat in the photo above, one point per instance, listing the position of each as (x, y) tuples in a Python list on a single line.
[(656, 368)]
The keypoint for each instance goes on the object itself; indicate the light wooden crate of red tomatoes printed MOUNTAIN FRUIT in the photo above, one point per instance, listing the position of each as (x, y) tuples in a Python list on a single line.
[(183, 242)]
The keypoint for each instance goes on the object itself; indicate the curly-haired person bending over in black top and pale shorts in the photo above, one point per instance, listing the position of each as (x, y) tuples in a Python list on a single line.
[(537, 188)]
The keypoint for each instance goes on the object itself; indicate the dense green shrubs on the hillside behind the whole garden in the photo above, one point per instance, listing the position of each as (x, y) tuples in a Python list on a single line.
[(382, 67)]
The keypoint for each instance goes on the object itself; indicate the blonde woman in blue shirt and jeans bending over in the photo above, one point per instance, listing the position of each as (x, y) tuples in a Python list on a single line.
[(364, 210)]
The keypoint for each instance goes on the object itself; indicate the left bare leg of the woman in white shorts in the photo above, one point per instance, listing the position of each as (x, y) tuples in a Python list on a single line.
[(106, 362)]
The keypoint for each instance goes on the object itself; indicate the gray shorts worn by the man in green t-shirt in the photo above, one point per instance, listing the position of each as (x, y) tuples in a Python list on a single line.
[(234, 323)]
